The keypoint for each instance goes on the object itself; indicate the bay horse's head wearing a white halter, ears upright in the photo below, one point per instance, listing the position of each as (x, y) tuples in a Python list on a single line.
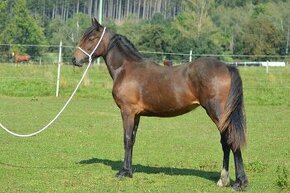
[(91, 45)]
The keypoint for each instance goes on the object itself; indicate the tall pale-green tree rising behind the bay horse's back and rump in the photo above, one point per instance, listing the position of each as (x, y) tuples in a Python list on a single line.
[(196, 30)]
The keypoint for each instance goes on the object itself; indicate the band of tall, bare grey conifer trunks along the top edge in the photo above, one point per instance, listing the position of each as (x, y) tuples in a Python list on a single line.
[(113, 9)]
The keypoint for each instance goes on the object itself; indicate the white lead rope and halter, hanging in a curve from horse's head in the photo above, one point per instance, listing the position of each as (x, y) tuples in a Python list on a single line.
[(68, 101)]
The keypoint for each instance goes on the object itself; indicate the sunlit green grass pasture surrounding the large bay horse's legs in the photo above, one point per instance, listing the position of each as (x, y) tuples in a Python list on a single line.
[(83, 150)]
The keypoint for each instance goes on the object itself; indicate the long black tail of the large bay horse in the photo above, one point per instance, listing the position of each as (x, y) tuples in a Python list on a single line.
[(233, 122)]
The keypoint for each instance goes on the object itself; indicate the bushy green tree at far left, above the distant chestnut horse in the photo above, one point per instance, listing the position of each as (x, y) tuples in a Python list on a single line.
[(22, 28)]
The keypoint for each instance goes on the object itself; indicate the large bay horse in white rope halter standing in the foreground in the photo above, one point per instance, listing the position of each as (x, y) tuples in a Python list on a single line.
[(141, 87)]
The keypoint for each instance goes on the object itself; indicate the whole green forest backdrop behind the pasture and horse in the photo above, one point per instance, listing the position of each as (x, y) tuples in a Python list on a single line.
[(229, 28)]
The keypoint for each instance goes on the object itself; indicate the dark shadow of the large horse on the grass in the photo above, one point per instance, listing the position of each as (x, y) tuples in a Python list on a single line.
[(116, 165)]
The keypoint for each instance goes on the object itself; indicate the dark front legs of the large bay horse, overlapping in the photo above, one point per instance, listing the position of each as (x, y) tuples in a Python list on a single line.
[(130, 124)]
